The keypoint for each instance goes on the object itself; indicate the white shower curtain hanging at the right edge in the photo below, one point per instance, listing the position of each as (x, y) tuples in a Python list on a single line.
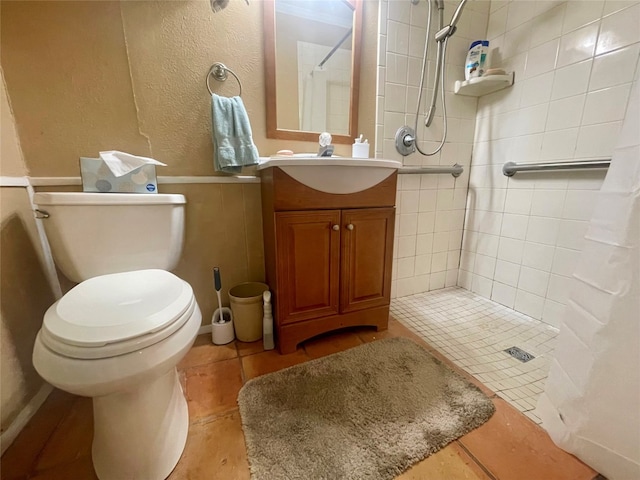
[(591, 403)]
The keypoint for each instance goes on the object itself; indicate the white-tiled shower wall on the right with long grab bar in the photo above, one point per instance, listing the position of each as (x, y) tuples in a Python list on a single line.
[(574, 63)]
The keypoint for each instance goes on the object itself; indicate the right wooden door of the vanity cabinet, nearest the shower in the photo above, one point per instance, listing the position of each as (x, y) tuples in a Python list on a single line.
[(367, 253)]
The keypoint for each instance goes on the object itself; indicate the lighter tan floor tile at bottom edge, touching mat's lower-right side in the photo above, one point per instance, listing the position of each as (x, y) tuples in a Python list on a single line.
[(450, 463)]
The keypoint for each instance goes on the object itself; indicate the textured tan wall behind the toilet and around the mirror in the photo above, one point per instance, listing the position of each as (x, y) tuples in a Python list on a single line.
[(87, 76)]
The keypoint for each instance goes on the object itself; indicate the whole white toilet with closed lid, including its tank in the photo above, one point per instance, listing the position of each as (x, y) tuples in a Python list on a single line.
[(118, 335)]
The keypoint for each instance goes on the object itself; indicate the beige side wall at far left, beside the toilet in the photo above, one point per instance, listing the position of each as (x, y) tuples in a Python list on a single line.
[(24, 292)]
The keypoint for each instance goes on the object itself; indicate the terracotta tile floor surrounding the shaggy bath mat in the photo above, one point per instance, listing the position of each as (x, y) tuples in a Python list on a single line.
[(56, 443)]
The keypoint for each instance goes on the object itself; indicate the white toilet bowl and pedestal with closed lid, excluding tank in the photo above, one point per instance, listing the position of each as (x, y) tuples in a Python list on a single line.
[(118, 338)]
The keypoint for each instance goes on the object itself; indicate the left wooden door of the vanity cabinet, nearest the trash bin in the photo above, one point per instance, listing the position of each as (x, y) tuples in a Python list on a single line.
[(308, 259)]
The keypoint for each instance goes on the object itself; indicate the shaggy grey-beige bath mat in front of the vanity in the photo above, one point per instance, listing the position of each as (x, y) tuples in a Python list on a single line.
[(365, 413)]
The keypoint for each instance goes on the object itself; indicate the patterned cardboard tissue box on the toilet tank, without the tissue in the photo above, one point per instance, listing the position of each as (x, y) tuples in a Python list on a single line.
[(96, 177)]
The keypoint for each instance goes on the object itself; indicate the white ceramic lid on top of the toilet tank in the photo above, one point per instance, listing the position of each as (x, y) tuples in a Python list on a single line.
[(84, 198)]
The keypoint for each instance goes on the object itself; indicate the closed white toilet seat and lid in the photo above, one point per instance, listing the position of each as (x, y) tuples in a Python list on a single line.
[(117, 314)]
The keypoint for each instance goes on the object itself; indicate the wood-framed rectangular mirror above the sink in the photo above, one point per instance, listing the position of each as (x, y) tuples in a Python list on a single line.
[(312, 68)]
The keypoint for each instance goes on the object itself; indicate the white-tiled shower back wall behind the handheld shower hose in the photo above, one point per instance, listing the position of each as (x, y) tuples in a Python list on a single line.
[(430, 208)]
